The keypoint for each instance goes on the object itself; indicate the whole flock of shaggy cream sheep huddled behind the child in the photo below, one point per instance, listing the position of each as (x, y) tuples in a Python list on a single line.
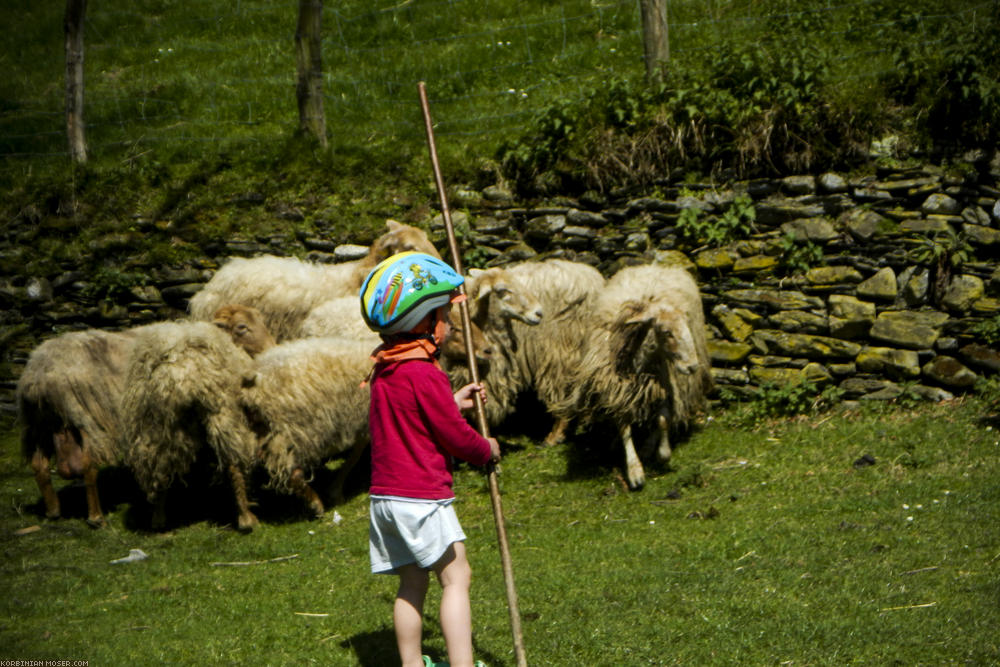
[(267, 371)]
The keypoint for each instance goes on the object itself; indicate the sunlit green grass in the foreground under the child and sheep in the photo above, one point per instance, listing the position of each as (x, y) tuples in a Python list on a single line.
[(759, 547)]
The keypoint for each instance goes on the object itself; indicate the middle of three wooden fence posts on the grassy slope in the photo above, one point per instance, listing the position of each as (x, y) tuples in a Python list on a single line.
[(309, 90)]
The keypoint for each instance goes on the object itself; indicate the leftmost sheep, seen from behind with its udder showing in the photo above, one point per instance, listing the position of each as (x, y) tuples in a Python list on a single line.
[(67, 398)]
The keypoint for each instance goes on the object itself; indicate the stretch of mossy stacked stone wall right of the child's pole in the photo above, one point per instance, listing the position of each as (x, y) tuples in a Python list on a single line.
[(865, 319)]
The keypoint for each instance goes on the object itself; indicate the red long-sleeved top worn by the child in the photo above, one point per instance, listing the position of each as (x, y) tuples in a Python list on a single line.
[(416, 429)]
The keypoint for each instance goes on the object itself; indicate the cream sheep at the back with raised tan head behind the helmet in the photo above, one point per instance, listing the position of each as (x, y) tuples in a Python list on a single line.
[(285, 289)]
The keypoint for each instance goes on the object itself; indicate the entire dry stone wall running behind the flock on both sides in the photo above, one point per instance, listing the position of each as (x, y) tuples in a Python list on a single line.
[(872, 284)]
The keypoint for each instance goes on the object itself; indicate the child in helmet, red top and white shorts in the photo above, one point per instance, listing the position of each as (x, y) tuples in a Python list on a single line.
[(416, 429)]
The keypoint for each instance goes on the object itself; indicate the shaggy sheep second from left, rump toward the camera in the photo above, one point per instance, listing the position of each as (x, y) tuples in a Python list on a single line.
[(182, 388)]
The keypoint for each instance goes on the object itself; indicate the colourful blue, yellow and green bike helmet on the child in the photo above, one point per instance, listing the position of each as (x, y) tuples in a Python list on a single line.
[(403, 289)]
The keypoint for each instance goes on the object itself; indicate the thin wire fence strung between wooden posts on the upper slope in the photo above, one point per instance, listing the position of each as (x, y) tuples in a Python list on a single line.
[(203, 73)]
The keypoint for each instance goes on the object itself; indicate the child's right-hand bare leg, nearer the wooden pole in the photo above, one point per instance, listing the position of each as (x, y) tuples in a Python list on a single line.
[(455, 575)]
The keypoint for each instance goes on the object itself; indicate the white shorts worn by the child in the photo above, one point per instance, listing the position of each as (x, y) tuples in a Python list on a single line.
[(404, 531)]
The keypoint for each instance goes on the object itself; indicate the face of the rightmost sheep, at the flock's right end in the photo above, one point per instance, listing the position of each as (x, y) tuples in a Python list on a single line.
[(650, 336)]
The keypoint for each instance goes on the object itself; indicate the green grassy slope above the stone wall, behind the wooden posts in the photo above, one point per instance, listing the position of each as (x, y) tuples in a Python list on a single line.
[(170, 83)]
